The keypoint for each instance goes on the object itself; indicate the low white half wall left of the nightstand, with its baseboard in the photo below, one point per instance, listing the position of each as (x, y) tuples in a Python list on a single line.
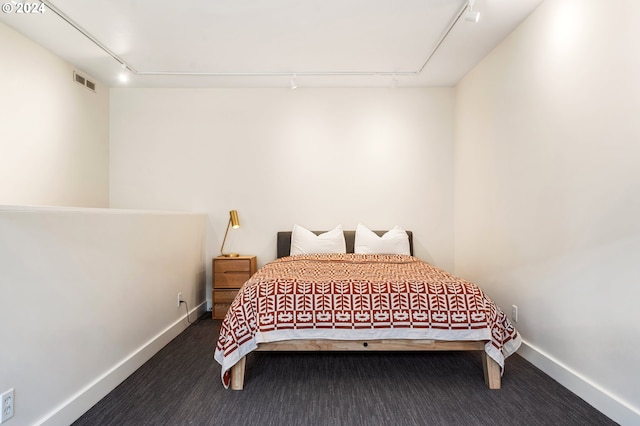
[(88, 295)]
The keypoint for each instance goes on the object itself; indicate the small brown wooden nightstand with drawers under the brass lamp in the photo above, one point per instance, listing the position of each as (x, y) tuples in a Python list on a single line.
[(228, 275)]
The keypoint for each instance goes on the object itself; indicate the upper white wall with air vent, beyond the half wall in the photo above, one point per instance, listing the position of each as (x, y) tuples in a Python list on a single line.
[(54, 133)]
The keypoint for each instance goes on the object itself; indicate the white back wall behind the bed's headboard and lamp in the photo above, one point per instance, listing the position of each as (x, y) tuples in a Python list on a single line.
[(314, 157)]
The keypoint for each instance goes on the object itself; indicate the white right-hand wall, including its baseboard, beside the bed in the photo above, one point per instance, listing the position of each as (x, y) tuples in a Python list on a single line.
[(547, 192)]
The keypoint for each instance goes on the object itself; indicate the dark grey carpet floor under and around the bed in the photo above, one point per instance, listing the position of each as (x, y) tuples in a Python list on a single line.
[(181, 385)]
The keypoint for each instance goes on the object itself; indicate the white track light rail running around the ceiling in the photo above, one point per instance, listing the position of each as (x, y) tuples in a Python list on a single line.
[(467, 6)]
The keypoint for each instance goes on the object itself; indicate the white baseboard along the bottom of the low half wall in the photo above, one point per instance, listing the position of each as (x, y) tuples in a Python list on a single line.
[(78, 404)]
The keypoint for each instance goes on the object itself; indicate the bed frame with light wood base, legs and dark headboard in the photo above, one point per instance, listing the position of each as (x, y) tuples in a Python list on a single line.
[(490, 368)]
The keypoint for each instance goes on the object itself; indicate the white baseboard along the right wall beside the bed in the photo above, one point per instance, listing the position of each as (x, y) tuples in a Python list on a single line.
[(618, 410)]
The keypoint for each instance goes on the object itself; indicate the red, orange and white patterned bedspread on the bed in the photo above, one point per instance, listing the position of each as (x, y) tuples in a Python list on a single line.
[(358, 296)]
